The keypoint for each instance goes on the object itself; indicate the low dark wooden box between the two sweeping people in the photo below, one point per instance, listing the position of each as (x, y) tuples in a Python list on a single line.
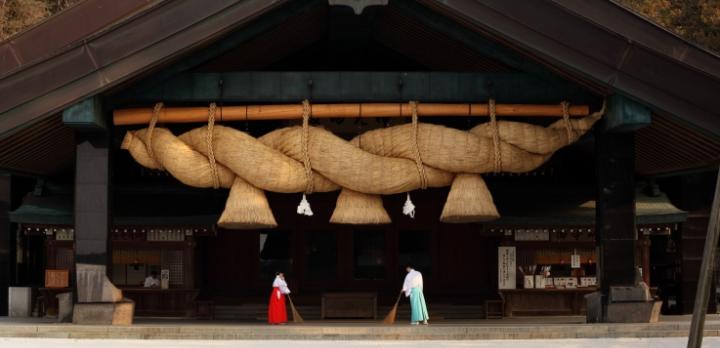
[(349, 305)]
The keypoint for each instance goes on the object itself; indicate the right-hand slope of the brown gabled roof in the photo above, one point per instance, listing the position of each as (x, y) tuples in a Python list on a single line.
[(608, 44)]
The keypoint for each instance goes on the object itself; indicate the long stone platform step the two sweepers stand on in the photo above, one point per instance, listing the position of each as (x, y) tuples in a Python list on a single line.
[(516, 328)]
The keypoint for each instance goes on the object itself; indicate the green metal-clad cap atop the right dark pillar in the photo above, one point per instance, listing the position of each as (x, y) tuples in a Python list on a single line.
[(626, 115)]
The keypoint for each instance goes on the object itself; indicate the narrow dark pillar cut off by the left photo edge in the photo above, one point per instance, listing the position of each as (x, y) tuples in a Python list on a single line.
[(7, 244)]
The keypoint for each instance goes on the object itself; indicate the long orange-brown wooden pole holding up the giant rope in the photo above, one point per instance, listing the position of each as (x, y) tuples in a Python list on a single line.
[(361, 110)]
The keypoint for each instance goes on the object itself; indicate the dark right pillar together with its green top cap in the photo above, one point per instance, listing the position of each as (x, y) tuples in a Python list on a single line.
[(615, 177)]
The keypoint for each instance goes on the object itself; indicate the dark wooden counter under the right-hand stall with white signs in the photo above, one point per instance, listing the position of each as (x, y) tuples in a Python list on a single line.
[(545, 301)]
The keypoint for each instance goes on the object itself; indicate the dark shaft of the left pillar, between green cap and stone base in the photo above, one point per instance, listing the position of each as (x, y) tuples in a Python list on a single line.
[(92, 211)]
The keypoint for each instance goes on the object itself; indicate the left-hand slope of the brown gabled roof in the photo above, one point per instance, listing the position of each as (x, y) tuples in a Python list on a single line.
[(119, 49)]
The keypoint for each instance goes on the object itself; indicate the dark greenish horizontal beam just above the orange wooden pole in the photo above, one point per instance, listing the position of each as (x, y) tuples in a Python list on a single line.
[(348, 86)]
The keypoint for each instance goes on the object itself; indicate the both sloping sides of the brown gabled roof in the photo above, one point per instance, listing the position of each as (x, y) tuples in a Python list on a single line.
[(102, 43)]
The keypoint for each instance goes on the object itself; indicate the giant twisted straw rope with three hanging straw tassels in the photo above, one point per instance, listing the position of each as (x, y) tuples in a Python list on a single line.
[(388, 161)]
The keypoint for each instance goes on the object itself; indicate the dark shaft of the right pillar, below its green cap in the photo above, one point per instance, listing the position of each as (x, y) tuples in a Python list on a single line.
[(615, 213)]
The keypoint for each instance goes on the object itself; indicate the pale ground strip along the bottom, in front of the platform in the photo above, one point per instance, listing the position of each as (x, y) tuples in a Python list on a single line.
[(573, 343)]
